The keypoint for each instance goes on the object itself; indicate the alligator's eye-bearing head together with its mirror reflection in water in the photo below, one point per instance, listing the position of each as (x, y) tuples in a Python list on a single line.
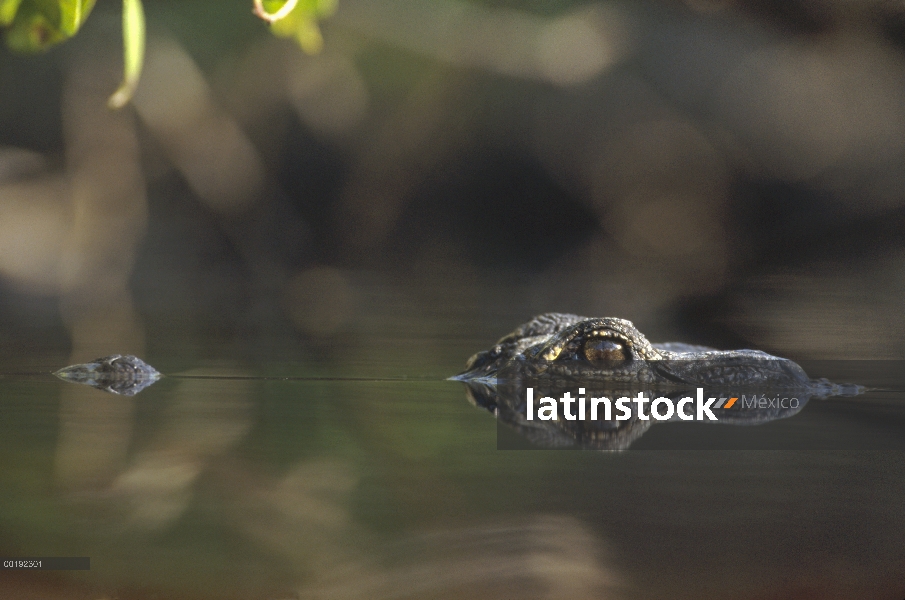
[(556, 353)]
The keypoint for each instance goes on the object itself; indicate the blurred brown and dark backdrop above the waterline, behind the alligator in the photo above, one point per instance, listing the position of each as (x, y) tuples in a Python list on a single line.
[(727, 172)]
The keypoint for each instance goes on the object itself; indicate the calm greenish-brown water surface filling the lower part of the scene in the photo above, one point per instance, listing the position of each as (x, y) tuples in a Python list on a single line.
[(321, 487)]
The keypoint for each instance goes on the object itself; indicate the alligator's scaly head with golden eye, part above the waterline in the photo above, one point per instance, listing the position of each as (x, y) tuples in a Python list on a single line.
[(554, 347)]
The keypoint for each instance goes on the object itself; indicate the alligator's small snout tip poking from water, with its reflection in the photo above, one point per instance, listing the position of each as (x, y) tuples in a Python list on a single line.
[(125, 375)]
